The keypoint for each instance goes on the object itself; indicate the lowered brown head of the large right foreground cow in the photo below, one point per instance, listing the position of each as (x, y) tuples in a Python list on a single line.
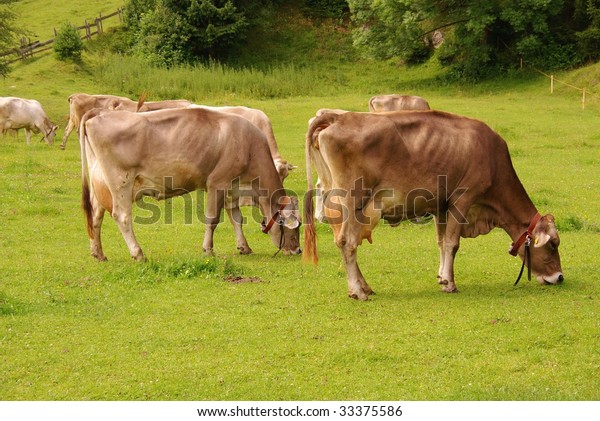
[(545, 260)]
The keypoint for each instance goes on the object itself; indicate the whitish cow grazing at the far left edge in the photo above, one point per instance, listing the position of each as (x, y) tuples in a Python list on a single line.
[(18, 113)]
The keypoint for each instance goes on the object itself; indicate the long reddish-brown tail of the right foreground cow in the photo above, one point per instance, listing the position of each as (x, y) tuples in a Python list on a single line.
[(317, 124)]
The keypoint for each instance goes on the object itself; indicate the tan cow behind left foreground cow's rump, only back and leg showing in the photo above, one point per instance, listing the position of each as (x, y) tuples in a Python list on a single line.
[(80, 103)]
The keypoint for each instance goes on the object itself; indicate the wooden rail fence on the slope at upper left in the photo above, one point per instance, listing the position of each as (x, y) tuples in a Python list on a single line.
[(27, 49)]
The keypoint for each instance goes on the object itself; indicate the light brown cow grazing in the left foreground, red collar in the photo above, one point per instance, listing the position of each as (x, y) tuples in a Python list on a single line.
[(171, 152)]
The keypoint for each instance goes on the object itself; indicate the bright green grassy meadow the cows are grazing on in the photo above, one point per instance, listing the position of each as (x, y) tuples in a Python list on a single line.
[(177, 328)]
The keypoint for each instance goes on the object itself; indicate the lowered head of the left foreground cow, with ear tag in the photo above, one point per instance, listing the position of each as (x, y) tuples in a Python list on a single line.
[(285, 233)]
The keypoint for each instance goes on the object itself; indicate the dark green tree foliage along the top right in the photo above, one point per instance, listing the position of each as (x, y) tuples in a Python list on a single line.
[(480, 38)]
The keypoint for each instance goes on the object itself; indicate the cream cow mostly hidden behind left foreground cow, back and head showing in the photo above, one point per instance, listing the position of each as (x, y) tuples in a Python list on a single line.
[(260, 120)]
